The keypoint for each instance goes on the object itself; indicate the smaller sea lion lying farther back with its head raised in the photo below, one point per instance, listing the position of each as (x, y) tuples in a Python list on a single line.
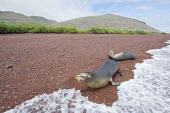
[(121, 56)]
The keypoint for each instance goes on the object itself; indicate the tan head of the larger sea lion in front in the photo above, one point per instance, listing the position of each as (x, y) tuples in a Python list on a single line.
[(84, 77)]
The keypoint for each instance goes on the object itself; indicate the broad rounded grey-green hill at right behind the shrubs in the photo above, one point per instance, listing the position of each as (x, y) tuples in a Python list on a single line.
[(108, 21)]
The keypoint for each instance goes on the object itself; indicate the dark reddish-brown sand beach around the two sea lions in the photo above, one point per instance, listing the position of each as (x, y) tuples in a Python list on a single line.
[(33, 64)]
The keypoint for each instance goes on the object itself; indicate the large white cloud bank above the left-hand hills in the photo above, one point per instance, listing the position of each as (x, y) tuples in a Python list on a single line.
[(53, 9)]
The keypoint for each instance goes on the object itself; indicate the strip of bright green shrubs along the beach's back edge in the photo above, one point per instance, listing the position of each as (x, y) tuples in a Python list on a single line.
[(6, 28)]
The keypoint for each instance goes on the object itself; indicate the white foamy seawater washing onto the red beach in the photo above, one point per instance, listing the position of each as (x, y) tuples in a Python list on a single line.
[(148, 92)]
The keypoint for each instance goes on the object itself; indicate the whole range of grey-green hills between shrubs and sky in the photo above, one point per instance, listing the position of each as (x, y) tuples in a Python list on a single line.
[(107, 21)]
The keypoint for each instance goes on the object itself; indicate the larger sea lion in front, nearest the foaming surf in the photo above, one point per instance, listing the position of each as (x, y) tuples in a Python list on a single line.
[(102, 76)]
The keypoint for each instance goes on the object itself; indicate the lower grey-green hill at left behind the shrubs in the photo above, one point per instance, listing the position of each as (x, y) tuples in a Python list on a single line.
[(12, 17)]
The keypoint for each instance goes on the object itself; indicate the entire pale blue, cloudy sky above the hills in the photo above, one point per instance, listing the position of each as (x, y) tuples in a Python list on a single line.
[(155, 13)]
